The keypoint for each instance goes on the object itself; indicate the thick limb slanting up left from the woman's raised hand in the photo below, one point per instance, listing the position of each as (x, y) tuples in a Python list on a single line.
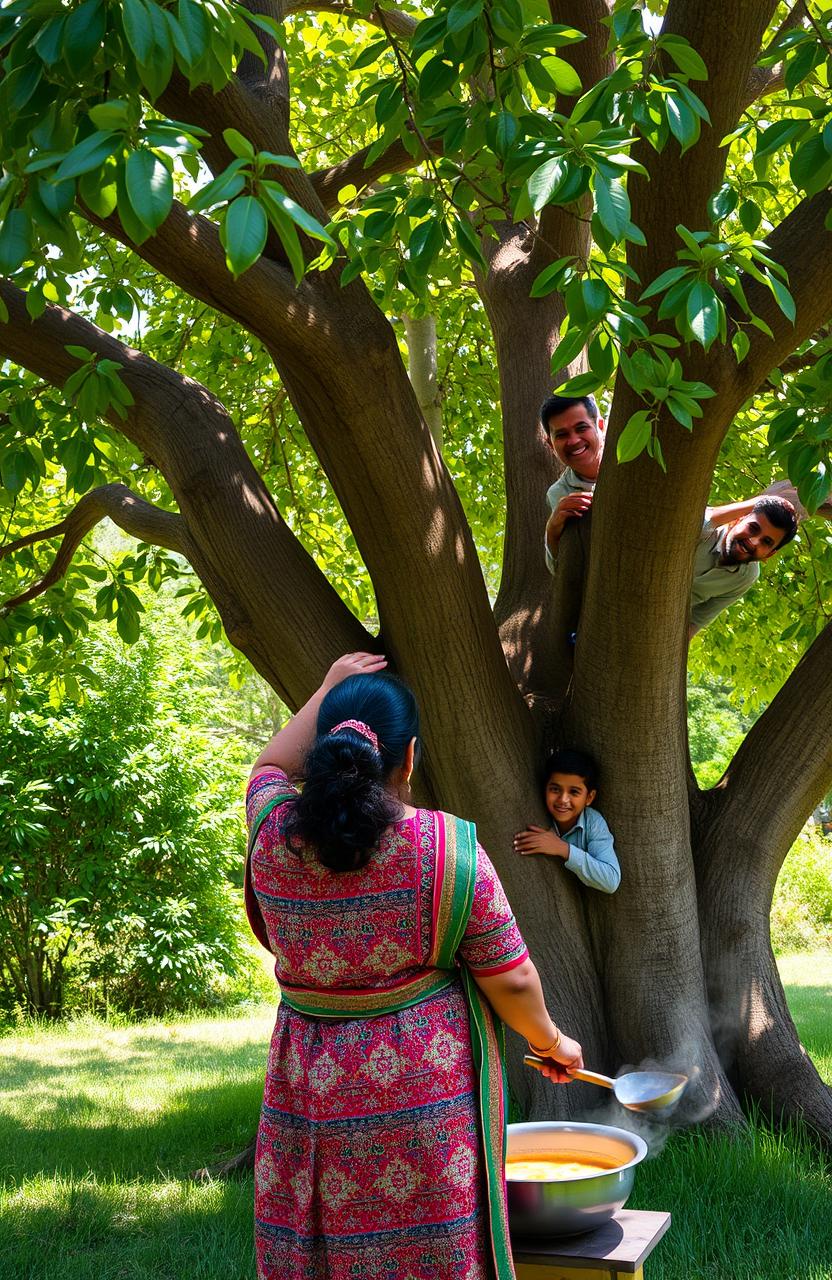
[(276, 605)]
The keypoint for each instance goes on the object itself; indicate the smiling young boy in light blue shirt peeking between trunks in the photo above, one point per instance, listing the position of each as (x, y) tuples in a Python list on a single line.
[(579, 835)]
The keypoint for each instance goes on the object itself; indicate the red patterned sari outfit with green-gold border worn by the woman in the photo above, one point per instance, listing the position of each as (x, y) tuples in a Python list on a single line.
[(381, 1145)]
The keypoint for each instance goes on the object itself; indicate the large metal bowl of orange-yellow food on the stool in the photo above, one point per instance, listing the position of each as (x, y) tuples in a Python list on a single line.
[(578, 1204)]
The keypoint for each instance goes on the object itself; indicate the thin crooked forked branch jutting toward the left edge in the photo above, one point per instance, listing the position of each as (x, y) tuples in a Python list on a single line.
[(127, 510)]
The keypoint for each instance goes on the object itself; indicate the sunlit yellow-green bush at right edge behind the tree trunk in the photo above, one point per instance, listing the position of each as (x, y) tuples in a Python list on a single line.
[(802, 911)]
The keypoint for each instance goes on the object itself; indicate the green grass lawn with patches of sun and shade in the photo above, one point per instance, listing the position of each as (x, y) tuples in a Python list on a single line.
[(100, 1126)]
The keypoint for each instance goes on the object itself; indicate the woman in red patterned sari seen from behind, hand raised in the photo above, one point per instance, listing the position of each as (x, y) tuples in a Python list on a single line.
[(381, 1141)]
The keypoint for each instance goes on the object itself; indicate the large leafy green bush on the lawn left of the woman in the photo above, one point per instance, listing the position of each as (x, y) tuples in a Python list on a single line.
[(121, 845)]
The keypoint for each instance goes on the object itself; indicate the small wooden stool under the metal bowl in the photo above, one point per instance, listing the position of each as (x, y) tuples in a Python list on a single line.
[(618, 1249)]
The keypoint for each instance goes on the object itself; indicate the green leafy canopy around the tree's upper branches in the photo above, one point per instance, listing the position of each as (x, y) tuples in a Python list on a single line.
[(487, 103)]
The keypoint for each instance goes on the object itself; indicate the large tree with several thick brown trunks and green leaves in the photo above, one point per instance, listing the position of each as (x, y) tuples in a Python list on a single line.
[(639, 200)]
